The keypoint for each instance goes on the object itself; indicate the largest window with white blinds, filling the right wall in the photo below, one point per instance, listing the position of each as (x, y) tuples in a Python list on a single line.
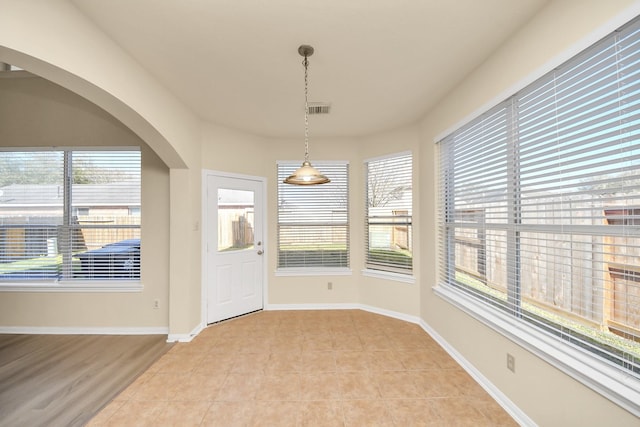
[(540, 203)]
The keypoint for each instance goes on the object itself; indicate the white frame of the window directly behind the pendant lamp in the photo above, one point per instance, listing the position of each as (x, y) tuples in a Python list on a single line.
[(285, 168)]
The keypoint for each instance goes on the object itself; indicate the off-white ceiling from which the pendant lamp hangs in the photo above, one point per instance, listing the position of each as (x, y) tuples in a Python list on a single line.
[(380, 63)]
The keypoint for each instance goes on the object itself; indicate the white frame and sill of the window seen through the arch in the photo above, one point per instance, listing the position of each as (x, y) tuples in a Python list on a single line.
[(81, 284)]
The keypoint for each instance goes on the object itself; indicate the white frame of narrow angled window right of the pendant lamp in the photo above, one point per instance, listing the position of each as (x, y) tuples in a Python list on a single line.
[(378, 270)]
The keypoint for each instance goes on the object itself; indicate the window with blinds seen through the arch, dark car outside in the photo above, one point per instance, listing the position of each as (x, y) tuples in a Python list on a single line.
[(69, 215)]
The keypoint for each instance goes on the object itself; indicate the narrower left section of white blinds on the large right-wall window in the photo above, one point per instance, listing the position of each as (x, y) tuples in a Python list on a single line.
[(475, 162)]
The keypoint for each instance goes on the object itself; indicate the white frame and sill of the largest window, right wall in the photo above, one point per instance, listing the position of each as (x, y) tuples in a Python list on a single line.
[(606, 378)]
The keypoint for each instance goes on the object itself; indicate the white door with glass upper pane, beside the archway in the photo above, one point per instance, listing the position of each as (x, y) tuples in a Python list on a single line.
[(235, 246)]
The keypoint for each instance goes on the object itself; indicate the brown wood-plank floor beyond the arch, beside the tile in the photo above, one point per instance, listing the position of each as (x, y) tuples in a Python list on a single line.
[(64, 380)]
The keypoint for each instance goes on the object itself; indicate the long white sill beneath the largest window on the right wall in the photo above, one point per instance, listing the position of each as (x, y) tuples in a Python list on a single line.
[(608, 380)]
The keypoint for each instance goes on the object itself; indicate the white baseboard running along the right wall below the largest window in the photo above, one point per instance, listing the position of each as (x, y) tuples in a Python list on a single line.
[(518, 415)]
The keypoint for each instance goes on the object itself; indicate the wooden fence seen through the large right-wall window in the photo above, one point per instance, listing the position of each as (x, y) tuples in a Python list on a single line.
[(600, 287)]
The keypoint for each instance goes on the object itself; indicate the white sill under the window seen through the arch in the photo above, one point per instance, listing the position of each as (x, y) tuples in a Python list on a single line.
[(102, 286)]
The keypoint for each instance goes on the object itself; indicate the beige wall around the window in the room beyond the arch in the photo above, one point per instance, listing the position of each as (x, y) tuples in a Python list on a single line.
[(35, 113)]
